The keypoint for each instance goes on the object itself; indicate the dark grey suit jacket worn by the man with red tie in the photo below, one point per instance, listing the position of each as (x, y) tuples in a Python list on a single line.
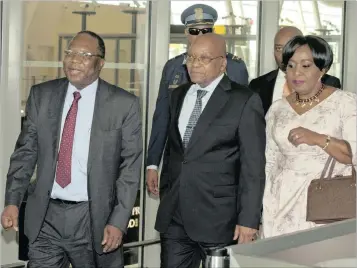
[(114, 160)]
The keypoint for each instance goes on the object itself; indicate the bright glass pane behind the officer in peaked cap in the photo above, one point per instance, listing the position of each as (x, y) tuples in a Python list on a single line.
[(237, 21)]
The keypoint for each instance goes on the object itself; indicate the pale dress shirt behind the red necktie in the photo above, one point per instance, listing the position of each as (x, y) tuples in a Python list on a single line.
[(77, 189)]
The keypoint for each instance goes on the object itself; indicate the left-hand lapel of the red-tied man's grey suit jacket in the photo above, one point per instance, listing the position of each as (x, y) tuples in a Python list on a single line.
[(55, 110)]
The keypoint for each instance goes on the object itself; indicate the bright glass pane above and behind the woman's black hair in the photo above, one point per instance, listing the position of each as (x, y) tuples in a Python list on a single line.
[(323, 18)]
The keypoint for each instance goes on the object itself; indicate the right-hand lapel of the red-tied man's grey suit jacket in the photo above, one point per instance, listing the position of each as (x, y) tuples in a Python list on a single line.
[(100, 116)]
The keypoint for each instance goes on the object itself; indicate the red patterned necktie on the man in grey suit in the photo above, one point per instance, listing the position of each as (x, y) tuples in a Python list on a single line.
[(64, 164)]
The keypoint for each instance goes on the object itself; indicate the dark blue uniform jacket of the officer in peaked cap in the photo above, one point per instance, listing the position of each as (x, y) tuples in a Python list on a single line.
[(175, 74)]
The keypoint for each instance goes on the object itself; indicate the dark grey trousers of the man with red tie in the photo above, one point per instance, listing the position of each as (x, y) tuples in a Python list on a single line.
[(65, 238)]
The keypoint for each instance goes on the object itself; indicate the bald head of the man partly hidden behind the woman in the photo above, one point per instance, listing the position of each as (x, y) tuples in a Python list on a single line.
[(283, 36)]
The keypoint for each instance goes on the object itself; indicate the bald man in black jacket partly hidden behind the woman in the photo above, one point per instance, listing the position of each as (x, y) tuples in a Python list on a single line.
[(271, 86)]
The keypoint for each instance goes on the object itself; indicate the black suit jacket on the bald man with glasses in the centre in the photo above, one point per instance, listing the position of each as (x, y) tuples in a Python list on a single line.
[(219, 178)]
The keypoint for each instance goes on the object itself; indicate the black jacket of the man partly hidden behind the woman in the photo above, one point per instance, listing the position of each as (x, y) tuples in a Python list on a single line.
[(264, 86)]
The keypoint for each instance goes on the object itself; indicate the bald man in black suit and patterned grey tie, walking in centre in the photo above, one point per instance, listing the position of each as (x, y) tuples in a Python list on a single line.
[(216, 163)]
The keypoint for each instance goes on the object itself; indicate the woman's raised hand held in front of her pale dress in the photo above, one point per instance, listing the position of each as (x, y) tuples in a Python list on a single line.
[(302, 135)]
